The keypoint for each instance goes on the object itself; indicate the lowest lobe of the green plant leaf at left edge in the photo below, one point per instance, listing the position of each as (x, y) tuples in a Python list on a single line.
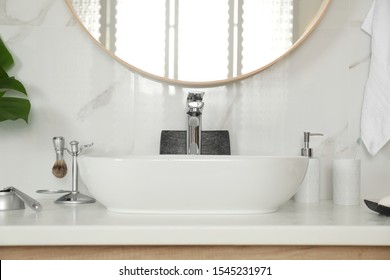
[(12, 108)]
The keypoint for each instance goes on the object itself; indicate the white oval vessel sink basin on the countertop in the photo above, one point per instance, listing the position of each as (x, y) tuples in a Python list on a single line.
[(192, 184)]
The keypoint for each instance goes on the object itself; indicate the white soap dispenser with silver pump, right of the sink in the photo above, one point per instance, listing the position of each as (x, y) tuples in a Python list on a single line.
[(309, 190)]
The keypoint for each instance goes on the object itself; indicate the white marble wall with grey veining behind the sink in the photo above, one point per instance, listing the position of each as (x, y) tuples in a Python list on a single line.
[(78, 91)]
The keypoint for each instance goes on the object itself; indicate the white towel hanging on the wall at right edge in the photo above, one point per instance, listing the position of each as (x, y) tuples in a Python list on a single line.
[(375, 122)]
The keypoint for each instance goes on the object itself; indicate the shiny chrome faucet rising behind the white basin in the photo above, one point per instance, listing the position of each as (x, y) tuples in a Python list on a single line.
[(194, 121)]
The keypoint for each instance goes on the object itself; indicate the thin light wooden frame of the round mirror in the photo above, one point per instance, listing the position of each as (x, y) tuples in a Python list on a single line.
[(310, 28)]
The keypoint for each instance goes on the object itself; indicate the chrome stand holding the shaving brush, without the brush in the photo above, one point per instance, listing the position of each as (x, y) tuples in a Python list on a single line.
[(75, 197)]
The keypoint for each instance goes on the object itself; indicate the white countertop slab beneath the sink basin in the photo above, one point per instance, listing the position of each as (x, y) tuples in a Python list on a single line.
[(294, 224)]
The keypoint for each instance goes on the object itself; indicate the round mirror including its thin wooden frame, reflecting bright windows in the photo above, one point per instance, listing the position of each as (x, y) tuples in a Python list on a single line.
[(198, 42)]
